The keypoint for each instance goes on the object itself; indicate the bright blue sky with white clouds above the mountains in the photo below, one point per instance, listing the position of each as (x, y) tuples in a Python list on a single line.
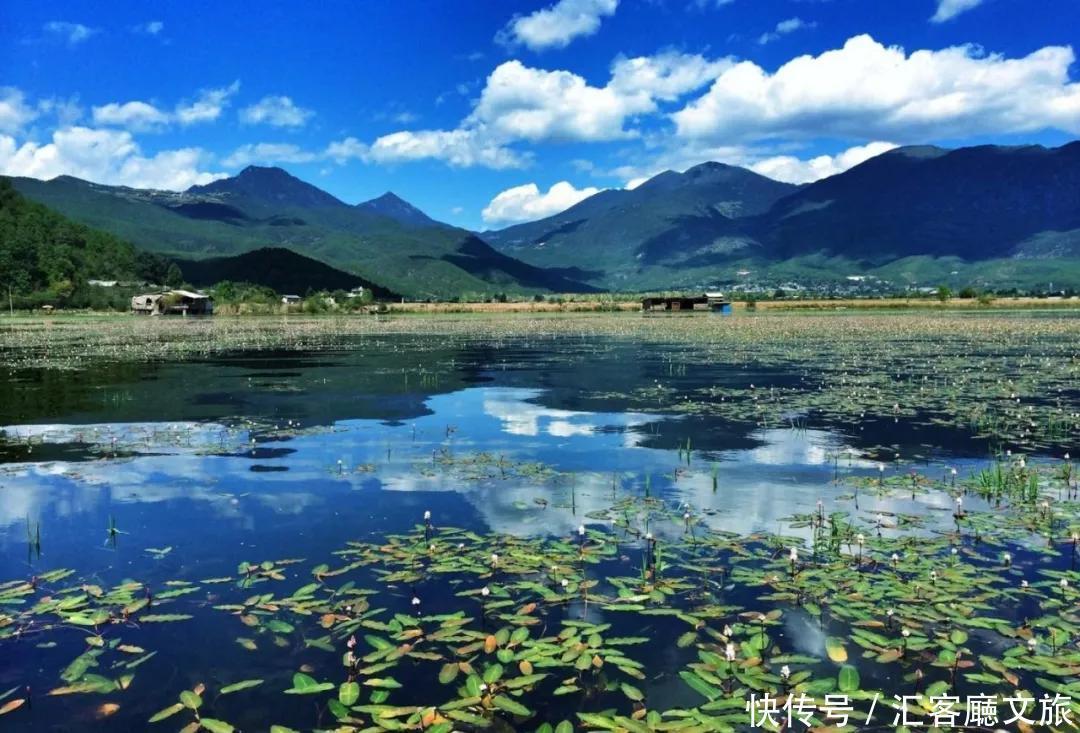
[(487, 113)]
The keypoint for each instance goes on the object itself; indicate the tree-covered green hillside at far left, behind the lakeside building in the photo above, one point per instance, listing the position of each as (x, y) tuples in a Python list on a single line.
[(47, 255)]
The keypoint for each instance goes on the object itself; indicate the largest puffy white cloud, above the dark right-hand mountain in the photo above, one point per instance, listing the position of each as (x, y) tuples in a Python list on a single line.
[(867, 91)]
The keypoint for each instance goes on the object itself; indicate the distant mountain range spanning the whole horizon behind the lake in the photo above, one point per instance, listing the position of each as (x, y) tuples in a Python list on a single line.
[(996, 215)]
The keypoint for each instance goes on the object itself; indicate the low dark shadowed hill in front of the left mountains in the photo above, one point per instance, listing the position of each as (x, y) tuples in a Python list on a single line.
[(281, 270)]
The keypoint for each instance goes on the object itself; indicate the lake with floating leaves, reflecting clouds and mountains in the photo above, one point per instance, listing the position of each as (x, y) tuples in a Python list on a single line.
[(520, 528)]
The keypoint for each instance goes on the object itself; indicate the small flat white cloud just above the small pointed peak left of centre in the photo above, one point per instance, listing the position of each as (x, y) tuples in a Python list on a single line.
[(461, 148)]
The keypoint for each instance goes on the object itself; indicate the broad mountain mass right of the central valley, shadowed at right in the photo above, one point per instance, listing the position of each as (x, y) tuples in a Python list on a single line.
[(995, 215)]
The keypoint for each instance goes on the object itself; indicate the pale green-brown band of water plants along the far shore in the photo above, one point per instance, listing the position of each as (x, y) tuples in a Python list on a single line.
[(76, 341)]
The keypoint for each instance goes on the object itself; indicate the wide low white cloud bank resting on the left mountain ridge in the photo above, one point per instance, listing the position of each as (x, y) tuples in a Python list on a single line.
[(105, 157)]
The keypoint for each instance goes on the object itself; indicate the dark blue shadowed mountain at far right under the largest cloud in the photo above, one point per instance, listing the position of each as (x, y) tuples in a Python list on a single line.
[(975, 203)]
